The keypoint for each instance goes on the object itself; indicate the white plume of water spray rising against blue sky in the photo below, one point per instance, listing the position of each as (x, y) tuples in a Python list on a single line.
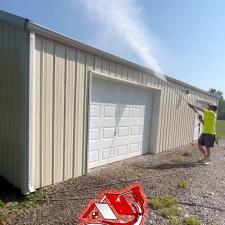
[(121, 19)]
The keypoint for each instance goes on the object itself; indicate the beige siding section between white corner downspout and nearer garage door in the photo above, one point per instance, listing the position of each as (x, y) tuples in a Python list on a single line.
[(59, 111)]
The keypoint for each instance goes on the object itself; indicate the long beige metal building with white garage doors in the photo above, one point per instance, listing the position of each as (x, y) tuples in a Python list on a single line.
[(66, 107)]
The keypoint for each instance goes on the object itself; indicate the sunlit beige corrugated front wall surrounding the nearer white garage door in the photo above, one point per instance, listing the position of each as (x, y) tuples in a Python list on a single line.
[(61, 92)]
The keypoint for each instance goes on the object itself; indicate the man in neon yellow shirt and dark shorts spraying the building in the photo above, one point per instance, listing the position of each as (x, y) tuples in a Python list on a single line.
[(207, 138)]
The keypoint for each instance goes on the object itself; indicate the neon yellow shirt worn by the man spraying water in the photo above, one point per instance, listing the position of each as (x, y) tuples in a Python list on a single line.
[(209, 126)]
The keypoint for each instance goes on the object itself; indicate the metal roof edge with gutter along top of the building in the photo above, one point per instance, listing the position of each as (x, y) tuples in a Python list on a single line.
[(32, 26)]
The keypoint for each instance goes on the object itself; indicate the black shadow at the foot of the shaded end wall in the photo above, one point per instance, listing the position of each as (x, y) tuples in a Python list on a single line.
[(9, 193)]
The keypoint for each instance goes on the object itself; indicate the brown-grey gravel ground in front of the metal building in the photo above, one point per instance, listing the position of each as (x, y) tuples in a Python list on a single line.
[(159, 174)]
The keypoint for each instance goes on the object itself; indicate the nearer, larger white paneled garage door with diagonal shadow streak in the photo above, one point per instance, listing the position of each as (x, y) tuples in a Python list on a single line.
[(120, 121)]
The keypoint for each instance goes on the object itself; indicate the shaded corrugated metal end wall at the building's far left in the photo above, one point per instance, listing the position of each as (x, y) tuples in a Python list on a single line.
[(13, 103)]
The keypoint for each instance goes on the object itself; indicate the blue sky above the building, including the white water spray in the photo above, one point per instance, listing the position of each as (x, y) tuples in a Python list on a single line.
[(182, 39)]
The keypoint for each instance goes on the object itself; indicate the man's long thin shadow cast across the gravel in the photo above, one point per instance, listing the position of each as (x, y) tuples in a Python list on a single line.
[(166, 166)]
